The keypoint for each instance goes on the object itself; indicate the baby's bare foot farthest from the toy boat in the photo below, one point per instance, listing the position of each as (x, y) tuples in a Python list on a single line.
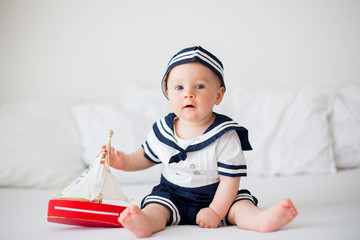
[(277, 216)]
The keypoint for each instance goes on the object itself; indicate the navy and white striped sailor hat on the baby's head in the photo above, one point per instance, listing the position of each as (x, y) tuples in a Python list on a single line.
[(195, 54)]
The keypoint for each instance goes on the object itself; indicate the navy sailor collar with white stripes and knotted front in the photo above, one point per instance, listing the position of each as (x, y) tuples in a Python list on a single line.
[(164, 131)]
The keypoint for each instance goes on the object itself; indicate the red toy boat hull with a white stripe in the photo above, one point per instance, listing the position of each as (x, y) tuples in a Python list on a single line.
[(81, 213)]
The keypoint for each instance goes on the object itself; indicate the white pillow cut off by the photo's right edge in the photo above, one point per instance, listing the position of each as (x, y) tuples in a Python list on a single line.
[(346, 127)]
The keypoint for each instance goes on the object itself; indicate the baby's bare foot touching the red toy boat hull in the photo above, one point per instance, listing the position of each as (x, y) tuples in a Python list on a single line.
[(133, 219)]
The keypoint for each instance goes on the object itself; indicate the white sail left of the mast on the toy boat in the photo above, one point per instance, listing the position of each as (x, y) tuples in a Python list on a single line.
[(85, 185)]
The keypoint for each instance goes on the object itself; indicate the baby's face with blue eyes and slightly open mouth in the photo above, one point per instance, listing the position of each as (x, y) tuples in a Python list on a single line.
[(193, 90)]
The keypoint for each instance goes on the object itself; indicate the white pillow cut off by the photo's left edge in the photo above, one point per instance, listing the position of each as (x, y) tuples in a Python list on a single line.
[(39, 144)]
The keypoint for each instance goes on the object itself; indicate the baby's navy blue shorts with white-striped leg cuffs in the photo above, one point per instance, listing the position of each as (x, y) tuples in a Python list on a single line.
[(185, 203)]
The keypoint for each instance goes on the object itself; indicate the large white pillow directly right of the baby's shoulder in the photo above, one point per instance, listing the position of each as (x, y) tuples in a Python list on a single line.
[(289, 131)]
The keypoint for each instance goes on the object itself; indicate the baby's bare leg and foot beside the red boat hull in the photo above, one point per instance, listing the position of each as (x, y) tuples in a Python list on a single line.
[(145, 222)]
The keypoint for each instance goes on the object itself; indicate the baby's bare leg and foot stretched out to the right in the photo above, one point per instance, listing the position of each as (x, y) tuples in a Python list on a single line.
[(247, 216)]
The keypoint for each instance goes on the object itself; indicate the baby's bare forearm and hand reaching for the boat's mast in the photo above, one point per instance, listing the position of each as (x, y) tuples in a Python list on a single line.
[(129, 162)]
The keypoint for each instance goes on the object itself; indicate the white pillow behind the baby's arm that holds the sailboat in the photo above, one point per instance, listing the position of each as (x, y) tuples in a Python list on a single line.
[(130, 131)]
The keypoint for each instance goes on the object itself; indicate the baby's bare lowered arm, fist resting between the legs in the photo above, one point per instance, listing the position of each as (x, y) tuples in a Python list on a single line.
[(224, 197)]
